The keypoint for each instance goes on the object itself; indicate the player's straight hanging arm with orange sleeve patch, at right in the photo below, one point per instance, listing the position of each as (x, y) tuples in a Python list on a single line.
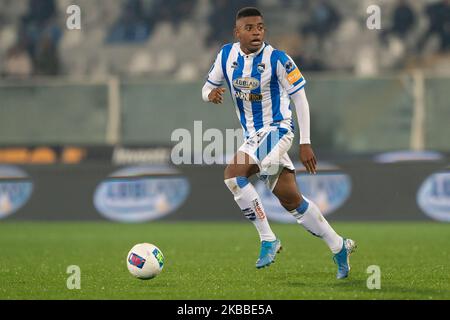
[(293, 81)]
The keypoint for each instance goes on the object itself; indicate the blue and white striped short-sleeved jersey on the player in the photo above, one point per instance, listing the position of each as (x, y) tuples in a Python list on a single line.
[(260, 85)]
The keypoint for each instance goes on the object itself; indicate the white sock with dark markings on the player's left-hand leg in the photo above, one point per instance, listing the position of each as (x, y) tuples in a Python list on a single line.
[(248, 200)]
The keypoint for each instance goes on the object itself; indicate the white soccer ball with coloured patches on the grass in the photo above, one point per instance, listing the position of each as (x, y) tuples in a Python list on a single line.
[(145, 261)]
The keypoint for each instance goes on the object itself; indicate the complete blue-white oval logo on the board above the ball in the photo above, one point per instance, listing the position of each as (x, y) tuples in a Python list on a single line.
[(143, 193)]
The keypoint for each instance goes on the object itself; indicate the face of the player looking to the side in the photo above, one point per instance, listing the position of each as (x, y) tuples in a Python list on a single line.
[(250, 33)]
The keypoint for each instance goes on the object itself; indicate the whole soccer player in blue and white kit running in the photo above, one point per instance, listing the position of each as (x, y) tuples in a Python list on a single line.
[(262, 80)]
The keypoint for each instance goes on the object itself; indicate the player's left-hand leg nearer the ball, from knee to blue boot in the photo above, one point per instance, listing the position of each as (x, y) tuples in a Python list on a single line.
[(236, 178)]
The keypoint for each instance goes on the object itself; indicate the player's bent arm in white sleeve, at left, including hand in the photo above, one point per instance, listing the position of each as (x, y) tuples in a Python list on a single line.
[(212, 90)]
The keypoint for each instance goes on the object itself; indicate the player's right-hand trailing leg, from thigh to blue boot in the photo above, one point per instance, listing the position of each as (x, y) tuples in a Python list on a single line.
[(308, 214)]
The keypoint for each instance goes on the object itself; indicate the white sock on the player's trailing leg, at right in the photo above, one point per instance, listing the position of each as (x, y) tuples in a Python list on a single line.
[(310, 217)]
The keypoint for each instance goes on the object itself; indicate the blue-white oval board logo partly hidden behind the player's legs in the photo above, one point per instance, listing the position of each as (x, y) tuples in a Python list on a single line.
[(329, 190)]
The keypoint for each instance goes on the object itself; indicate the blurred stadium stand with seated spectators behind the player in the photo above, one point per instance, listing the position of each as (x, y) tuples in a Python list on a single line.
[(175, 39)]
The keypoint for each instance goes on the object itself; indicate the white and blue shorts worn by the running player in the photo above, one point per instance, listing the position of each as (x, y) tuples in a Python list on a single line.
[(269, 148)]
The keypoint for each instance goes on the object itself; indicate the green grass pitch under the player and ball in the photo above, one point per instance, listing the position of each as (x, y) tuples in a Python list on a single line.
[(217, 261)]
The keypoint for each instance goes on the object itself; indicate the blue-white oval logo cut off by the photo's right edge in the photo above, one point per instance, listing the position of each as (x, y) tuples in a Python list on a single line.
[(433, 196)]
